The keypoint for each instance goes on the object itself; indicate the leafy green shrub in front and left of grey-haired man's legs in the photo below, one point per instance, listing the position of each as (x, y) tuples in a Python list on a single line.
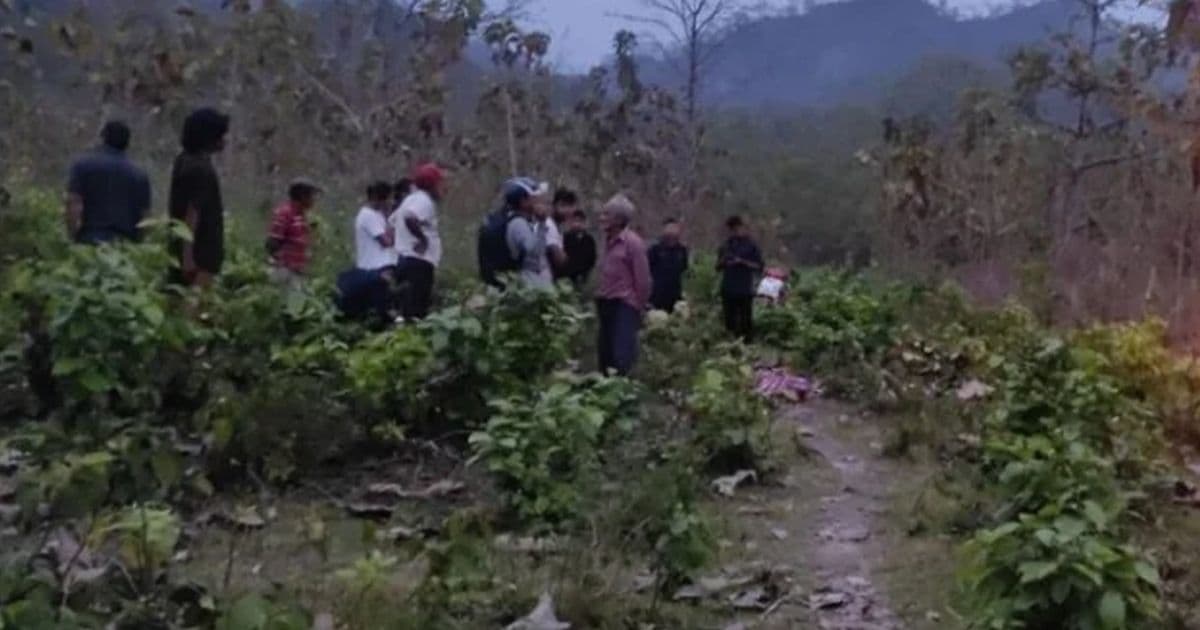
[(543, 447)]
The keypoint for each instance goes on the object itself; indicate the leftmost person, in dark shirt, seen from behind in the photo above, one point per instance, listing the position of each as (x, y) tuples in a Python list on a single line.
[(107, 195)]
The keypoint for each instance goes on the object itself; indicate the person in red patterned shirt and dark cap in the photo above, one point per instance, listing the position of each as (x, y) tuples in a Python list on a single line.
[(289, 239)]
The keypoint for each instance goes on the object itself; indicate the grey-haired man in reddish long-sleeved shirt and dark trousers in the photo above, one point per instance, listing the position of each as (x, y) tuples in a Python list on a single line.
[(625, 287)]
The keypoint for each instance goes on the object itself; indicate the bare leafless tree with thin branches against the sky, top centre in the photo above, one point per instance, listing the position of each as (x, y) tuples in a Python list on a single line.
[(691, 32)]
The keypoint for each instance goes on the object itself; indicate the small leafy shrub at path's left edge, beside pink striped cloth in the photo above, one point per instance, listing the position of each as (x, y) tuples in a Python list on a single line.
[(733, 423)]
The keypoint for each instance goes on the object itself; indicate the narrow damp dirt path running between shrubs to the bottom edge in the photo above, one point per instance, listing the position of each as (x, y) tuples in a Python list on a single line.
[(835, 526)]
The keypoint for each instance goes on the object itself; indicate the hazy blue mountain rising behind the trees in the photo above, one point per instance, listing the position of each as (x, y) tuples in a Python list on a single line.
[(854, 51)]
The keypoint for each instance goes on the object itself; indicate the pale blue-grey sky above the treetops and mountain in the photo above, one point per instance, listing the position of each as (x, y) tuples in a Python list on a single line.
[(583, 29)]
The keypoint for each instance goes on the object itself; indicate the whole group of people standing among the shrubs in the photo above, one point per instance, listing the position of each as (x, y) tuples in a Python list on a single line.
[(537, 238)]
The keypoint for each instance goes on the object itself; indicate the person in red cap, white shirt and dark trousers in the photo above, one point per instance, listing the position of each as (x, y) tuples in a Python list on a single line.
[(417, 241)]
